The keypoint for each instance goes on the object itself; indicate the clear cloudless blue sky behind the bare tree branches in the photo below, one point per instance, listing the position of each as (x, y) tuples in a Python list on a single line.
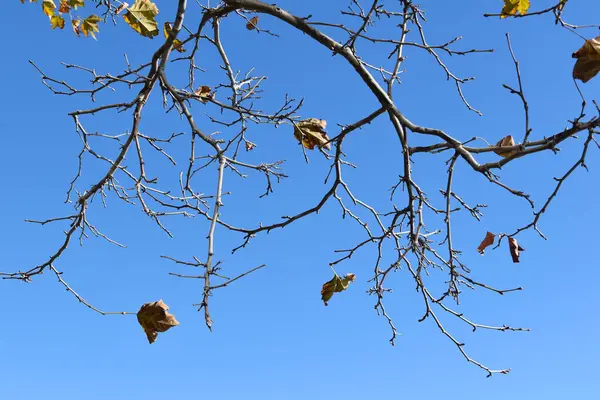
[(273, 338)]
